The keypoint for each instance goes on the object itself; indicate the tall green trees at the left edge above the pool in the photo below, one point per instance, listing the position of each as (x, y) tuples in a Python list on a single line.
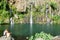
[(3, 11)]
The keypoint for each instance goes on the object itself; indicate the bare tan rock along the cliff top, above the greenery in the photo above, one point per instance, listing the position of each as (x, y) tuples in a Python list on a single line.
[(22, 4)]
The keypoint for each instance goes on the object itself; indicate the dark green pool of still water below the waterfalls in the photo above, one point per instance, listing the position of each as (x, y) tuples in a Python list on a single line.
[(21, 31)]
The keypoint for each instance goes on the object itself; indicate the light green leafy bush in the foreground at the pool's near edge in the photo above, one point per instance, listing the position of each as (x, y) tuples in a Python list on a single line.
[(43, 35)]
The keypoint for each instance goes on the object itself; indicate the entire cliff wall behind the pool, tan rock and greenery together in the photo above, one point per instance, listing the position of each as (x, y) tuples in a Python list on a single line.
[(45, 11)]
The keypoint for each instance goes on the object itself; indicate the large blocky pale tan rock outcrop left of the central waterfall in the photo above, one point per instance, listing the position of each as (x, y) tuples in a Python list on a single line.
[(20, 5)]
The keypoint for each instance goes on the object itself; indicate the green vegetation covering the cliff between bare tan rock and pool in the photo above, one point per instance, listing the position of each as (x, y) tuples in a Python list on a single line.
[(23, 17)]
